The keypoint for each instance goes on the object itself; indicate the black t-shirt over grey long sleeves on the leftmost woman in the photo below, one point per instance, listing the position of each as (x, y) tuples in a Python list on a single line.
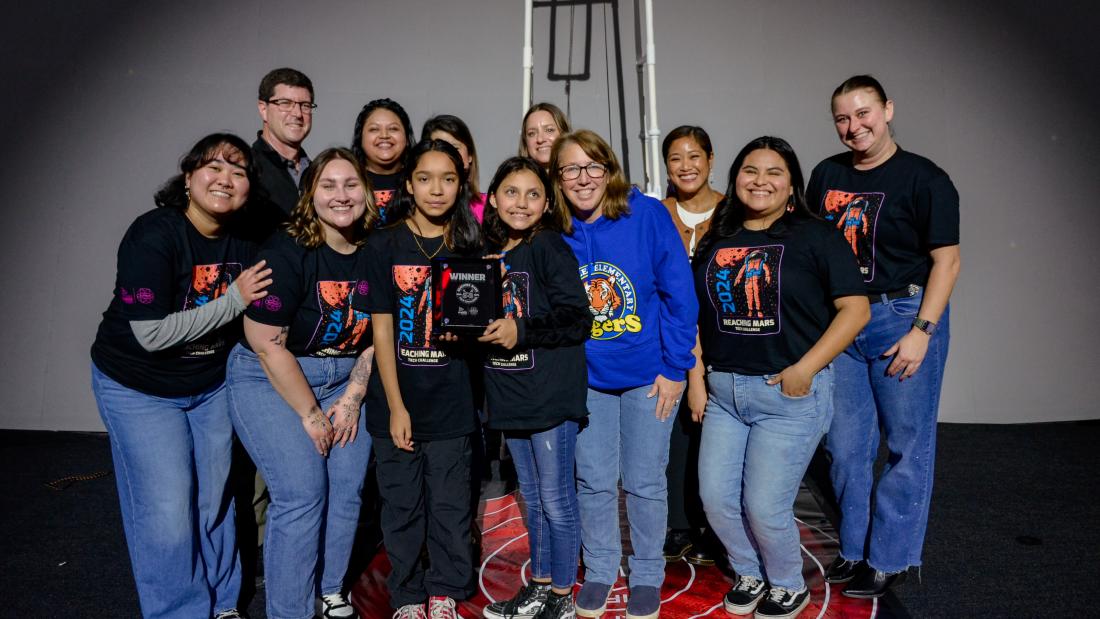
[(166, 267)]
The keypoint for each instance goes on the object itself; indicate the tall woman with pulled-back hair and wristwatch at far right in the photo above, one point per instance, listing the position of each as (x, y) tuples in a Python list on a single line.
[(899, 215)]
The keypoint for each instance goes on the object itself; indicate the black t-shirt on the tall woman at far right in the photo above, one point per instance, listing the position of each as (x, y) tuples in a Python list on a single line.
[(892, 216)]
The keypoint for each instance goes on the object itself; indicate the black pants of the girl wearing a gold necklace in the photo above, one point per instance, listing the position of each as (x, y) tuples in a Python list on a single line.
[(426, 501)]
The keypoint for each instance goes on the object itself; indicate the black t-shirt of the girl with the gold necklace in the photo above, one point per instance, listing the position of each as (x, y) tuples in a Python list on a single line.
[(434, 378)]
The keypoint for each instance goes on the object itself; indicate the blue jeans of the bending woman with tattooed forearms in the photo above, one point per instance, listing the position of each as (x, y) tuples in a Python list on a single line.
[(315, 501)]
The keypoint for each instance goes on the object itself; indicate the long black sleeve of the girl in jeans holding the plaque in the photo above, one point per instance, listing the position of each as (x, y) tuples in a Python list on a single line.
[(569, 322)]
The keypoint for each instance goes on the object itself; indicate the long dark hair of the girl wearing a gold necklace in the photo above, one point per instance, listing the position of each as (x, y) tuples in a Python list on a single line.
[(461, 233)]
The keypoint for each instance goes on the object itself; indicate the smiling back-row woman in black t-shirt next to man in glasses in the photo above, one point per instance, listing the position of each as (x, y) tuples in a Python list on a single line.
[(382, 137)]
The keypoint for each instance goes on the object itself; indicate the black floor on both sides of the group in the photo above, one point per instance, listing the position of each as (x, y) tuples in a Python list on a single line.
[(1015, 529)]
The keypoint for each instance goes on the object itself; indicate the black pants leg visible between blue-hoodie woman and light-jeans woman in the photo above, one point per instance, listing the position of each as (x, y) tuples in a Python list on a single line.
[(686, 510)]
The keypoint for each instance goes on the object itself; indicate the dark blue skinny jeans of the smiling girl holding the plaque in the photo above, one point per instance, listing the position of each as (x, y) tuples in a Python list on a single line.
[(545, 468)]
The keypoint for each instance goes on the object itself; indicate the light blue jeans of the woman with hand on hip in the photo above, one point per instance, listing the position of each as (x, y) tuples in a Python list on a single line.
[(756, 446)]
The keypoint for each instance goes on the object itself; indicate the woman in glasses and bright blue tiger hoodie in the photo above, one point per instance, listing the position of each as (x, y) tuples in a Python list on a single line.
[(644, 315)]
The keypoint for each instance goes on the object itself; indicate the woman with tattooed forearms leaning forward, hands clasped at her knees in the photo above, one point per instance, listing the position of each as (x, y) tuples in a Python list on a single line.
[(298, 383)]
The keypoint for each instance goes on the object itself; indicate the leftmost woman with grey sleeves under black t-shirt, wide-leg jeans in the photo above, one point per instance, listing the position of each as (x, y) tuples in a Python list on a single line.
[(158, 372)]
